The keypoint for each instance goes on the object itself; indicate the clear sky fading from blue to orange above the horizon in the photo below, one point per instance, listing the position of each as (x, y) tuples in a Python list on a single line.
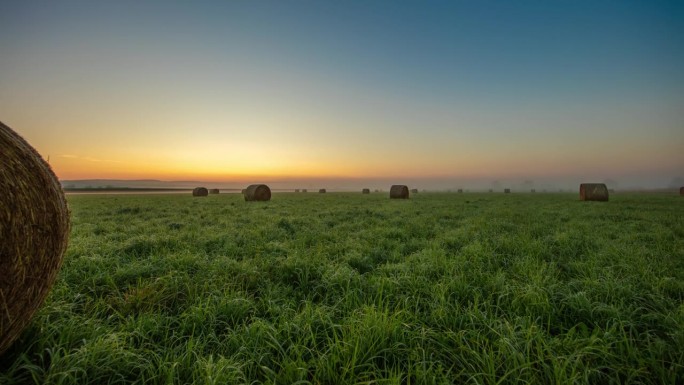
[(438, 93)]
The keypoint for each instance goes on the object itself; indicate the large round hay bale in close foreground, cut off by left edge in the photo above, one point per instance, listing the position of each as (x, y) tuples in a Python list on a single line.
[(34, 232)]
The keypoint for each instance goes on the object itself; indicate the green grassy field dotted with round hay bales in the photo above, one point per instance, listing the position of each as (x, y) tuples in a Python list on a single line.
[(344, 288)]
